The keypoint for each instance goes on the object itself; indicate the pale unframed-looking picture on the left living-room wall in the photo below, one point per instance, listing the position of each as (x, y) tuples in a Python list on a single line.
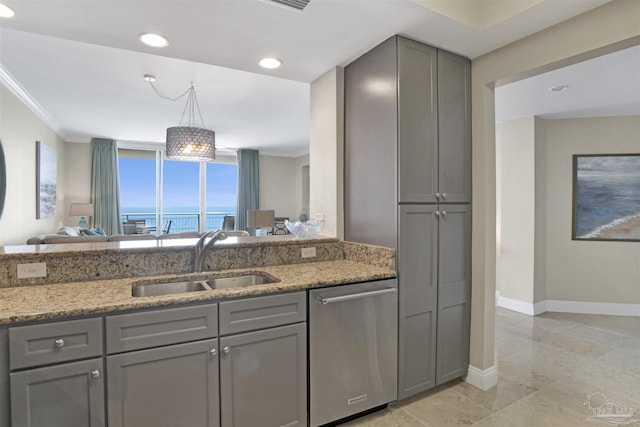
[(46, 180)]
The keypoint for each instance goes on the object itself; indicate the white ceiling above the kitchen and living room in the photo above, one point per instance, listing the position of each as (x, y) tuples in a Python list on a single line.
[(82, 63)]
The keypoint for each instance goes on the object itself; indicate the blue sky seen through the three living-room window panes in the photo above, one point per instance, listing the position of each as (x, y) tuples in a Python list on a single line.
[(137, 184)]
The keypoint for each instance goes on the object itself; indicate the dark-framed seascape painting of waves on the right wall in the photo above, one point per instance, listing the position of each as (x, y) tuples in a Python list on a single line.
[(606, 197)]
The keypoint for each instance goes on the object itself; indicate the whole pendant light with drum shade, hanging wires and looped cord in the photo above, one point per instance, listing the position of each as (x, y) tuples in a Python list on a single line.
[(188, 142)]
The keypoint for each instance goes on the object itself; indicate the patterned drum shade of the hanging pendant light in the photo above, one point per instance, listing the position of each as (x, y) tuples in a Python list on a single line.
[(191, 143)]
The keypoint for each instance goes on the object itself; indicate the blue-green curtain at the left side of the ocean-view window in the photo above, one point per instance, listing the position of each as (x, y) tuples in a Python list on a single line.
[(105, 186)]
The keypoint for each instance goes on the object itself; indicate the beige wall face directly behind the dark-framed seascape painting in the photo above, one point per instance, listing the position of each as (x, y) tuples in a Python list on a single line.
[(582, 270)]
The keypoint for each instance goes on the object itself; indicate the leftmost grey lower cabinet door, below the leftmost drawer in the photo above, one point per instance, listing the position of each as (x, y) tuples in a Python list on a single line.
[(71, 394)]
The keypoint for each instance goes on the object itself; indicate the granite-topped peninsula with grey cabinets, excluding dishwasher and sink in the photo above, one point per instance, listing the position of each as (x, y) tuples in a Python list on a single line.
[(79, 330)]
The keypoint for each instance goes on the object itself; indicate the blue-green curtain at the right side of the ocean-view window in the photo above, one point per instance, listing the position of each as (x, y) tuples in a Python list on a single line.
[(248, 187)]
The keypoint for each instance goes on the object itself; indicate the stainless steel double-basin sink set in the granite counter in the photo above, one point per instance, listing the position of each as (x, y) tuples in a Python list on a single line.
[(146, 289)]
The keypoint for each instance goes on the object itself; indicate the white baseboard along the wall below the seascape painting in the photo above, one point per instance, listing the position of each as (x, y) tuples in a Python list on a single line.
[(583, 307)]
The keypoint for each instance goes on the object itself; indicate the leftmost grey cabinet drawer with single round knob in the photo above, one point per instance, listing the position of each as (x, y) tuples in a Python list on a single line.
[(54, 342)]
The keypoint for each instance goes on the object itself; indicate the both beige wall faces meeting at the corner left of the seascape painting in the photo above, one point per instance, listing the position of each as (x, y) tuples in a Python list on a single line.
[(565, 269)]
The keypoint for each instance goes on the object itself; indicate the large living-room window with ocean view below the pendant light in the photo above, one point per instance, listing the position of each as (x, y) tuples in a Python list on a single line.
[(192, 196)]
